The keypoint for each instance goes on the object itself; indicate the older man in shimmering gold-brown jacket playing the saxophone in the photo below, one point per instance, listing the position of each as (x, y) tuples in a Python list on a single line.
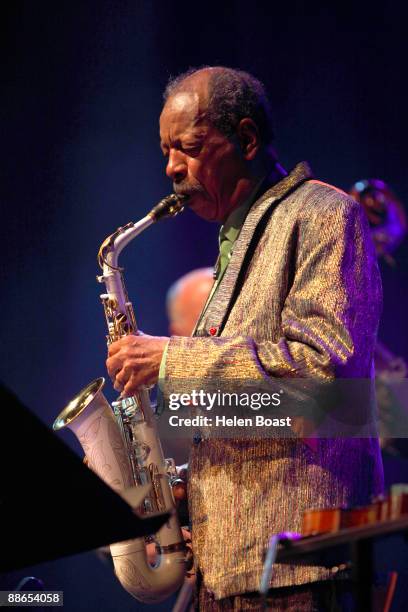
[(297, 295)]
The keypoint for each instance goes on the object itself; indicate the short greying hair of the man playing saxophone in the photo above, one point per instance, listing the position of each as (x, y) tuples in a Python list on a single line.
[(233, 95)]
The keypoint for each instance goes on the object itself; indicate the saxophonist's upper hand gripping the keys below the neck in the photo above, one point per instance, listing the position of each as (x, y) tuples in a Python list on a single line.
[(134, 361)]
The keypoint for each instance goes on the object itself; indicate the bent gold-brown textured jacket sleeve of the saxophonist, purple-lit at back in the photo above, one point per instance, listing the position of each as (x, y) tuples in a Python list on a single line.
[(330, 315)]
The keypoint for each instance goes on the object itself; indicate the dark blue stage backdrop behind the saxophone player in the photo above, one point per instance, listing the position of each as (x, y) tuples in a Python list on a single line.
[(82, 86)]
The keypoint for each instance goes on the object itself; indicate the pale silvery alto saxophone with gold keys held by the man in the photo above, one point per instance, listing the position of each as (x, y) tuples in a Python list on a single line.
[(122, 446)]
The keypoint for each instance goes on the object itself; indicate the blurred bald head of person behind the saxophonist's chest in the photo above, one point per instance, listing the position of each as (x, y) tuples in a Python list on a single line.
[(186, 299)]
